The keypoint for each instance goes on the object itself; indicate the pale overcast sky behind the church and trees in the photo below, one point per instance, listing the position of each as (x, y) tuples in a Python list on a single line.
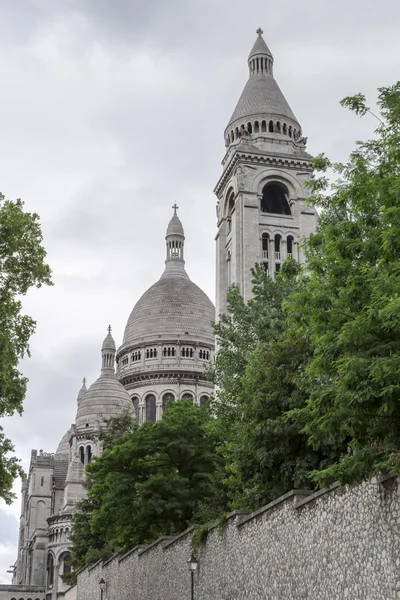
[(112, 110)]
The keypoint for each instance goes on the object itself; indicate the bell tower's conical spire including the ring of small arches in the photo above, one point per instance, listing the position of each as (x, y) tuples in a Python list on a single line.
[(262, 108)]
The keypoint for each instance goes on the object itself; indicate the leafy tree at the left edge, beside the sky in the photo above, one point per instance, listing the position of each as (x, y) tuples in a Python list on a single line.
[(22, 266)]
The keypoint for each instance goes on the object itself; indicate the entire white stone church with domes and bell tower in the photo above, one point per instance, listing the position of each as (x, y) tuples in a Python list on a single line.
[(261, 217)]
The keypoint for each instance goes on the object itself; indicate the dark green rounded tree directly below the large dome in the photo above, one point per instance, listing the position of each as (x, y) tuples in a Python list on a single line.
[(159, 480)]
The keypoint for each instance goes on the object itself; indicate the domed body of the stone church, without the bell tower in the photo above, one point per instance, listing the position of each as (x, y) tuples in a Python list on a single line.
[(167, 342)]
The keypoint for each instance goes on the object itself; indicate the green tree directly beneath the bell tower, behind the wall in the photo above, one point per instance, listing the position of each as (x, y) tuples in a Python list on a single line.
[(259, 374)]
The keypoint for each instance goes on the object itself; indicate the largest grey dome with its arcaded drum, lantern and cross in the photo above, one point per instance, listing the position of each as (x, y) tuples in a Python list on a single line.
[(168, 338)]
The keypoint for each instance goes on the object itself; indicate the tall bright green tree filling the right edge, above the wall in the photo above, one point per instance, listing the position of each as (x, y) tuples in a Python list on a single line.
[(350, 306)]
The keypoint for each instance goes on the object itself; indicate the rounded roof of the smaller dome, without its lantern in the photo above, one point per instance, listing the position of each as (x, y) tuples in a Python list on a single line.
[(105, 398)]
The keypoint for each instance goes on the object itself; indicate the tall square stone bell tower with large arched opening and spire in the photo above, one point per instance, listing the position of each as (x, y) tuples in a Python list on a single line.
[(261, 209)]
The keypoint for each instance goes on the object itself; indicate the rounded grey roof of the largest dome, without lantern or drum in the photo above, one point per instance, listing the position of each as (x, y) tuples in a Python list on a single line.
[(172, 307)]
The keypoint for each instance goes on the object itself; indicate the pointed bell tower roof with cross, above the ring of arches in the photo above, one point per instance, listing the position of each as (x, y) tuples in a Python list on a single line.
[(261, 96)]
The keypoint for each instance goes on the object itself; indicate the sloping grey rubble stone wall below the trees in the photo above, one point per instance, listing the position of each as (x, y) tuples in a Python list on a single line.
[(333, 545)]
